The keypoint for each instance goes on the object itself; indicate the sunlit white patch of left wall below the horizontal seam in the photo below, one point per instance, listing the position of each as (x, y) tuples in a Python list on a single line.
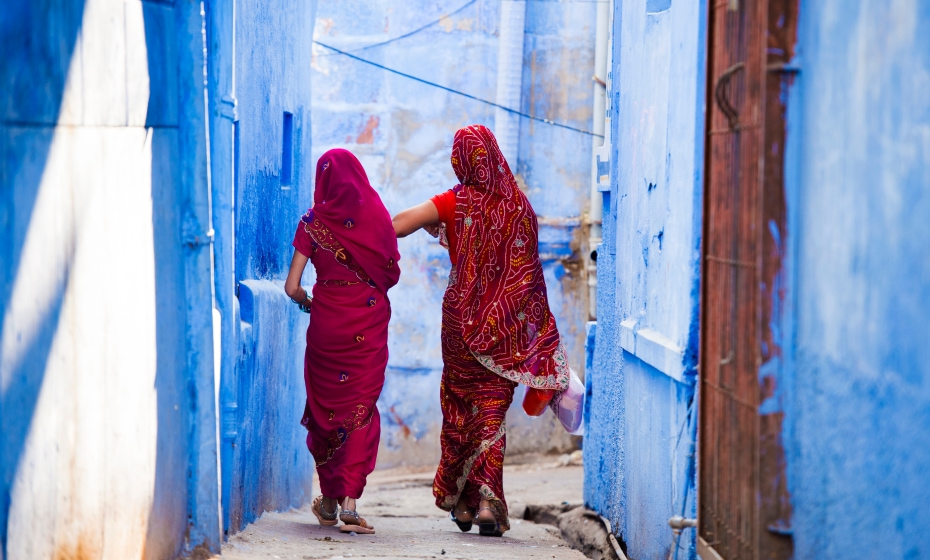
[(86, 474)]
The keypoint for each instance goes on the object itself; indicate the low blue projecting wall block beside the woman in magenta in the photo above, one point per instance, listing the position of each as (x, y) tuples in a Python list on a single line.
[(271, 468)]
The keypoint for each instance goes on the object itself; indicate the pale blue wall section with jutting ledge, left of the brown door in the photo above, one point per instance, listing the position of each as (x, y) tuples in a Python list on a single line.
[(641, 383)]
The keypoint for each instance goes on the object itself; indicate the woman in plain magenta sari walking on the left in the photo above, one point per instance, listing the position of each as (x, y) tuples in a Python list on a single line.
[(348, 237)]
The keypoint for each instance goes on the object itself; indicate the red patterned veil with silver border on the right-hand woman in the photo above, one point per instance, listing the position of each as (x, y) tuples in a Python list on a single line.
[(499, 294)]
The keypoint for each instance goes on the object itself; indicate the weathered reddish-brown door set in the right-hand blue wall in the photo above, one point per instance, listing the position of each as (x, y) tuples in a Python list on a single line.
[(743, 503)]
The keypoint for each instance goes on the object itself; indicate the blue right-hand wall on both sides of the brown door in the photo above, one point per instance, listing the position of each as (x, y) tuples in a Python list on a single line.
[(852, 313)]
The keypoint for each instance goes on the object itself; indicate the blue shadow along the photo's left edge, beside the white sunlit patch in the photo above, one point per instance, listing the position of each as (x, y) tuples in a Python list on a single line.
[(35, 69)]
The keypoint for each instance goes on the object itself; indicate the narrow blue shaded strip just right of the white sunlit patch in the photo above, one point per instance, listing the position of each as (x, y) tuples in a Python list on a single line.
[(168, 519)]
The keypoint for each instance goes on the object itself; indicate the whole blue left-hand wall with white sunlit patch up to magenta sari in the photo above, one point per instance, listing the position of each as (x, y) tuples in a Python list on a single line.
[(118, 299)]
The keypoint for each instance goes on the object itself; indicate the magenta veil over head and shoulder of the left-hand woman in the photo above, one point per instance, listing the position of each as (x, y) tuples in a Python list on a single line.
[(347, 204)]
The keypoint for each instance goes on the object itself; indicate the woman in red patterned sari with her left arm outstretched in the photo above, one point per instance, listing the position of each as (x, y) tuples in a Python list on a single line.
[(497, 329)]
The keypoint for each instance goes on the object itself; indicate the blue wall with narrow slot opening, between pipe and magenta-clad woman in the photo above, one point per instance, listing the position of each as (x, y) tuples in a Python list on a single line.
[(262, 173)]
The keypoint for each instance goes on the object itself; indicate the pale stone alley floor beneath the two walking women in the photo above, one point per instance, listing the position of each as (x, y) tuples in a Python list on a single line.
[(399, 503)]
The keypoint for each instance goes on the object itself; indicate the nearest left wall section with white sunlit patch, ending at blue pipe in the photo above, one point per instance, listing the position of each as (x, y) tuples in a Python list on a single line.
[(106, 366)]
